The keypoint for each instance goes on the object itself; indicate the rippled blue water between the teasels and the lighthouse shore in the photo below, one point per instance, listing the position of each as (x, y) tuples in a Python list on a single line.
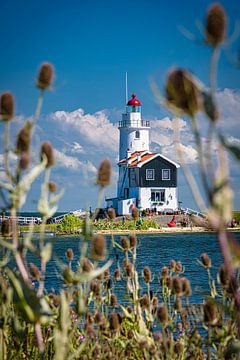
[(155, 251)]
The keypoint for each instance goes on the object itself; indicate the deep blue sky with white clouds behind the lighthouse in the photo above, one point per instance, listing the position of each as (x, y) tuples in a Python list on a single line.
[(91, 45)]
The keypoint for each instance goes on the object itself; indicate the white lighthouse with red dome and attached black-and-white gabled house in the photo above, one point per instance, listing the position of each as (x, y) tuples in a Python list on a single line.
[(146, 180)]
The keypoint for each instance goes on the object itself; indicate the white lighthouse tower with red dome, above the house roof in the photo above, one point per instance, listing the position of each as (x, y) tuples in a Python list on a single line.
[(134, 132)]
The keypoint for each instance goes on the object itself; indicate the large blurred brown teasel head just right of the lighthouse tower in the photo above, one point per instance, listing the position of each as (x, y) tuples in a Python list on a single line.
[(182, 92)]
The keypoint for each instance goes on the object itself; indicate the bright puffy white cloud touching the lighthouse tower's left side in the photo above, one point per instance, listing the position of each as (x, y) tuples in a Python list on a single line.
[(96, 128)]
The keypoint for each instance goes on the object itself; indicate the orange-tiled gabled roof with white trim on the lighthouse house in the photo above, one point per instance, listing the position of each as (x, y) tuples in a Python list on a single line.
[(139, 158)]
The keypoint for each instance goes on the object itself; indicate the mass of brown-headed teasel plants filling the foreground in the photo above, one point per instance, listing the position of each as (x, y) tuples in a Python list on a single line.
[(85, 319)]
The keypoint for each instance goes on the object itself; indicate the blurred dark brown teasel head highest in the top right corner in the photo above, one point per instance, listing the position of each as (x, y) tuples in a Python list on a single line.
[(215, 25)]
